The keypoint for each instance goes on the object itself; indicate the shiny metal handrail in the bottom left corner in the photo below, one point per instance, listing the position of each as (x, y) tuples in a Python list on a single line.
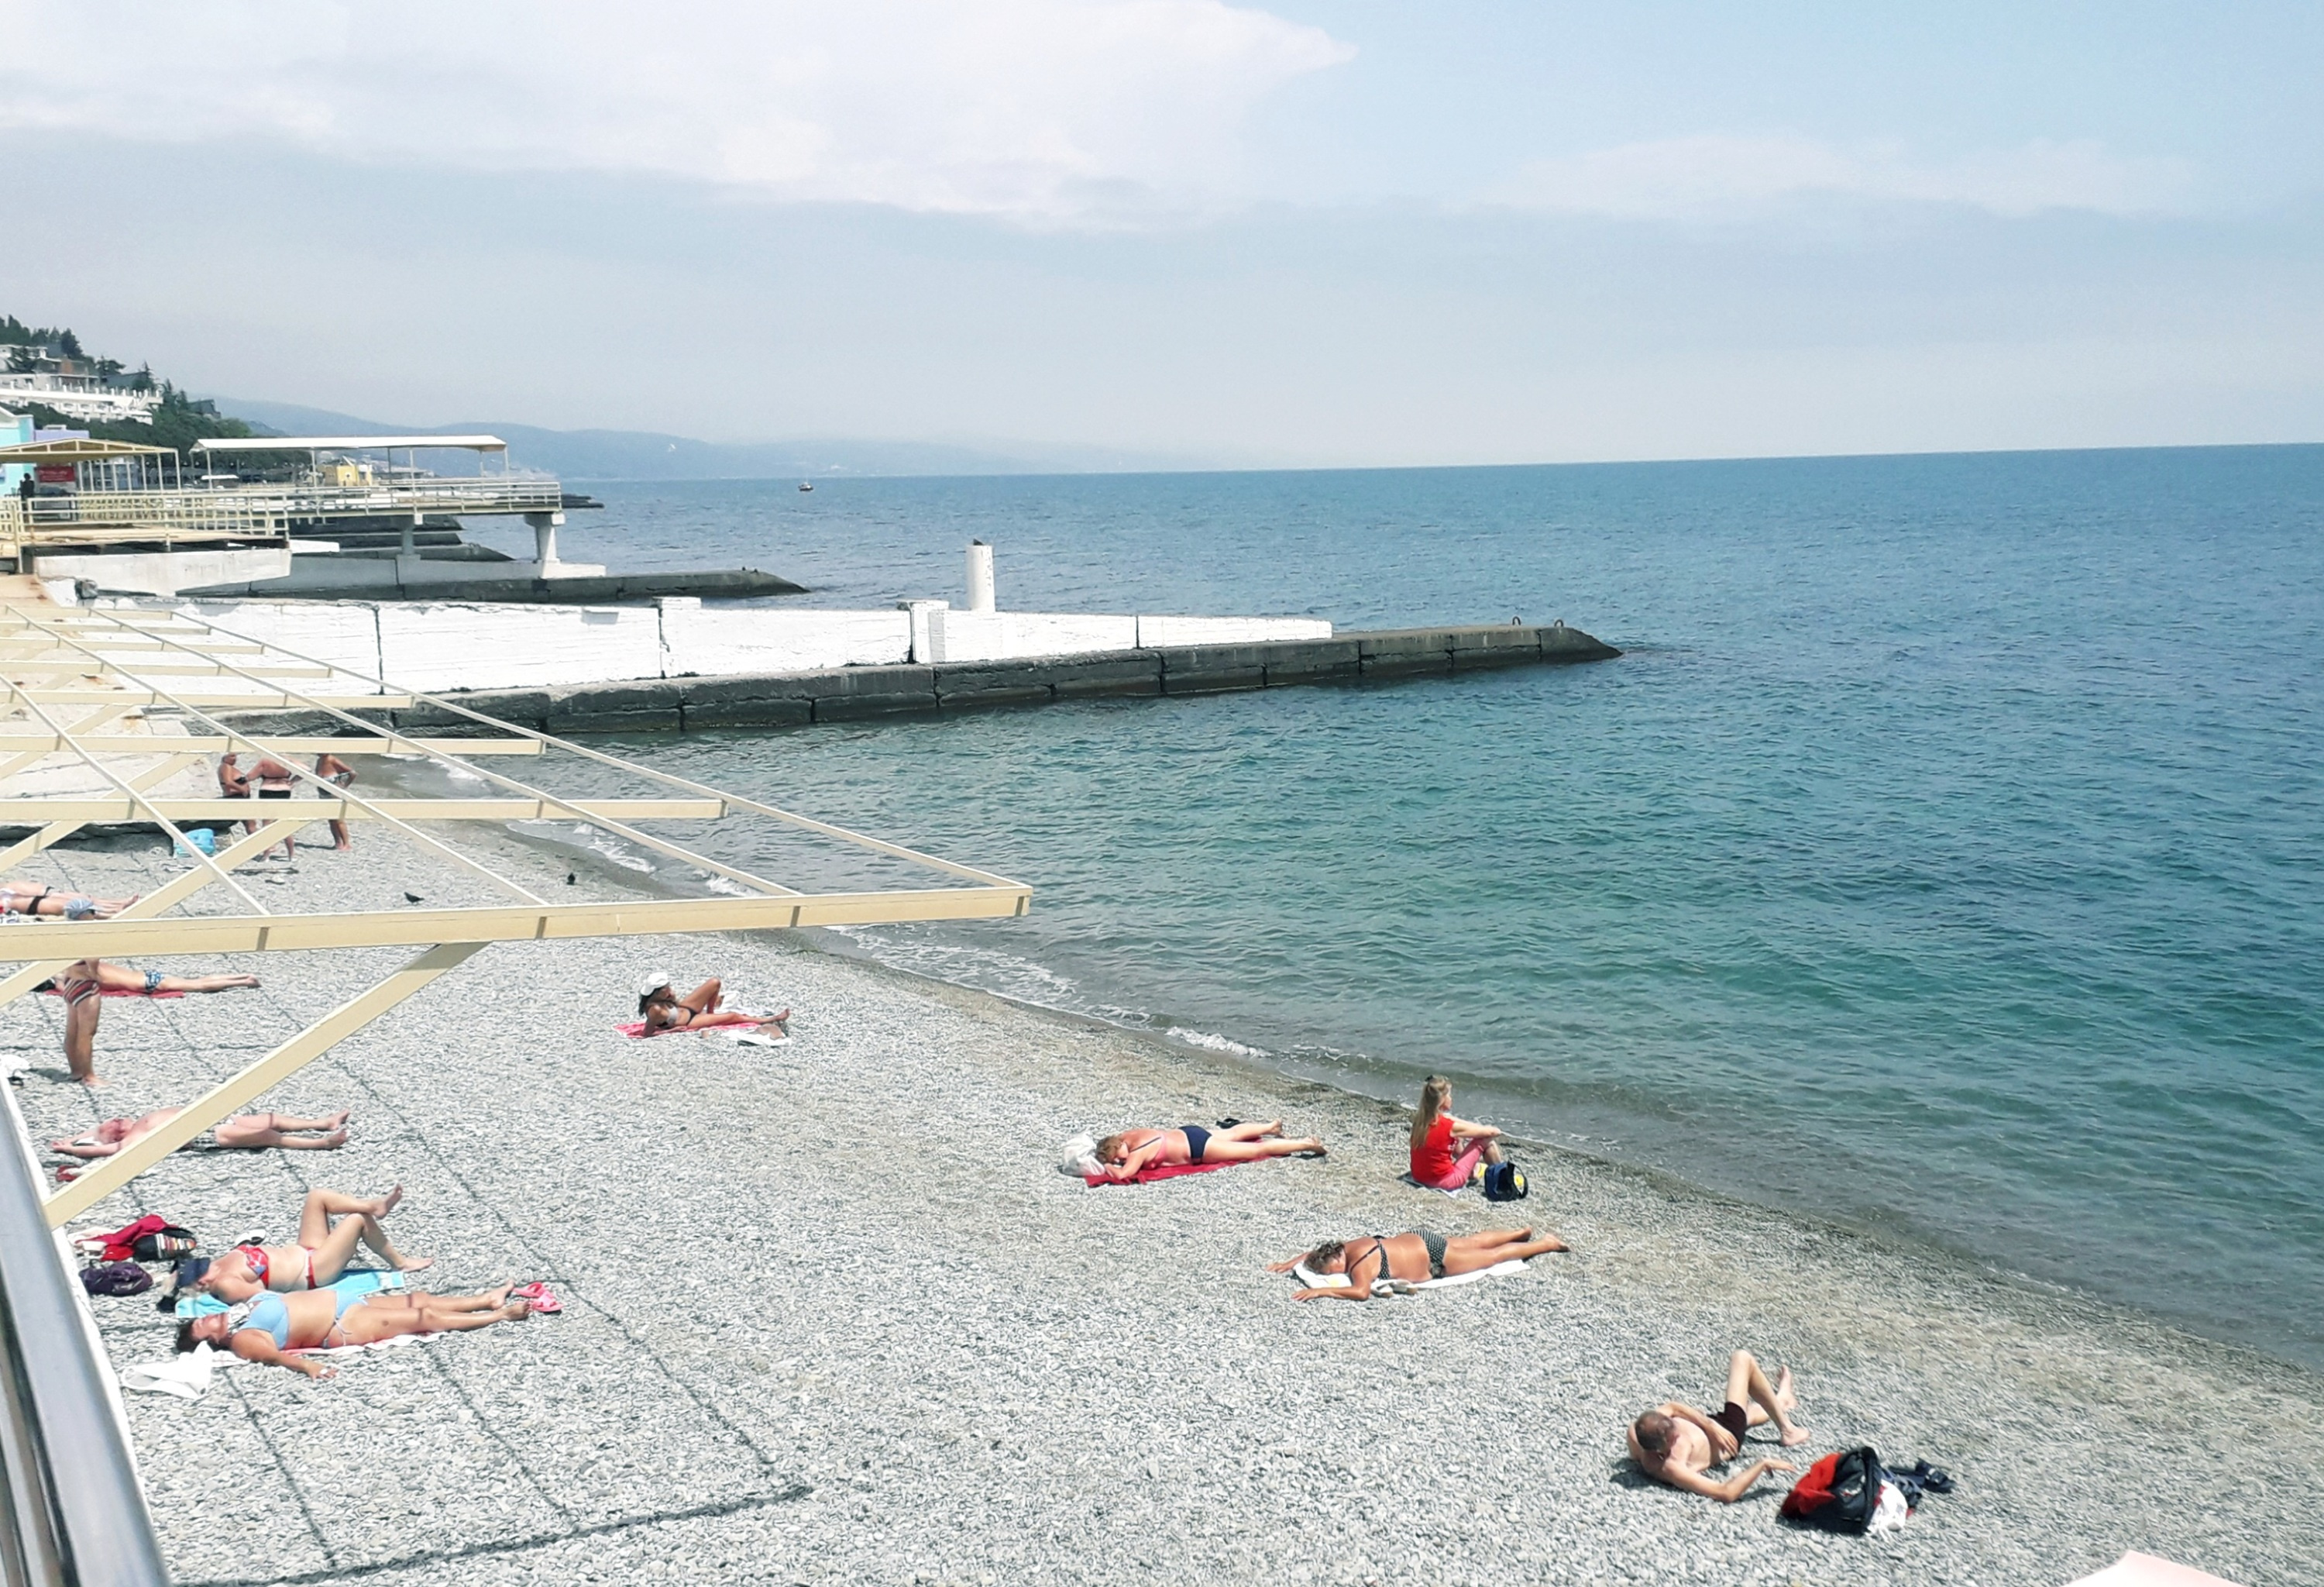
[(73, 1511)]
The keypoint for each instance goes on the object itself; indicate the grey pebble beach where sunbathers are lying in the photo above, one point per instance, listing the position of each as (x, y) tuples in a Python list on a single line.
[(835, 1316)]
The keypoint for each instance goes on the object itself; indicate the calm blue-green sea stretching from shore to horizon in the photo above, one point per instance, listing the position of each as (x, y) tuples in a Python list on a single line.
[(1944, 859)]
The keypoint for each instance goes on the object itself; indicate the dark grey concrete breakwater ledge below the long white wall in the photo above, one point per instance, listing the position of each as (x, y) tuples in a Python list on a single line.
[(854, 694)]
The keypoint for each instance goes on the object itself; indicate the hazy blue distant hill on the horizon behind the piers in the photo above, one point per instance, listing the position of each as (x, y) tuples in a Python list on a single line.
[(640, 454)]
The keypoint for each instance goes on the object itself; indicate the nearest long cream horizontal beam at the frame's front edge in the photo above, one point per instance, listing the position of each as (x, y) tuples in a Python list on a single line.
[(403, 928)]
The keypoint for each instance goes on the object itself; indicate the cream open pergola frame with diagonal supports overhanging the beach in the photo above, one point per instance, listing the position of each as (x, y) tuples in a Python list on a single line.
[(124, 661)]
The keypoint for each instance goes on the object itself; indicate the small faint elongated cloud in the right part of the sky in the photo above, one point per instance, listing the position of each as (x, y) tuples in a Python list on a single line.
[(1726, 178)]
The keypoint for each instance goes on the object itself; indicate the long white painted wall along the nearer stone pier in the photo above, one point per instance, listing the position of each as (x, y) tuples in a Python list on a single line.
[(492, 645)]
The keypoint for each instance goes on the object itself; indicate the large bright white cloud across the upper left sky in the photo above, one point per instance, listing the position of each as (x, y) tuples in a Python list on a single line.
[(1024, 108)]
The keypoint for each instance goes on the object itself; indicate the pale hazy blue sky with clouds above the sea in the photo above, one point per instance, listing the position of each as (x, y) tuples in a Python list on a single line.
[(1310, 234)]
